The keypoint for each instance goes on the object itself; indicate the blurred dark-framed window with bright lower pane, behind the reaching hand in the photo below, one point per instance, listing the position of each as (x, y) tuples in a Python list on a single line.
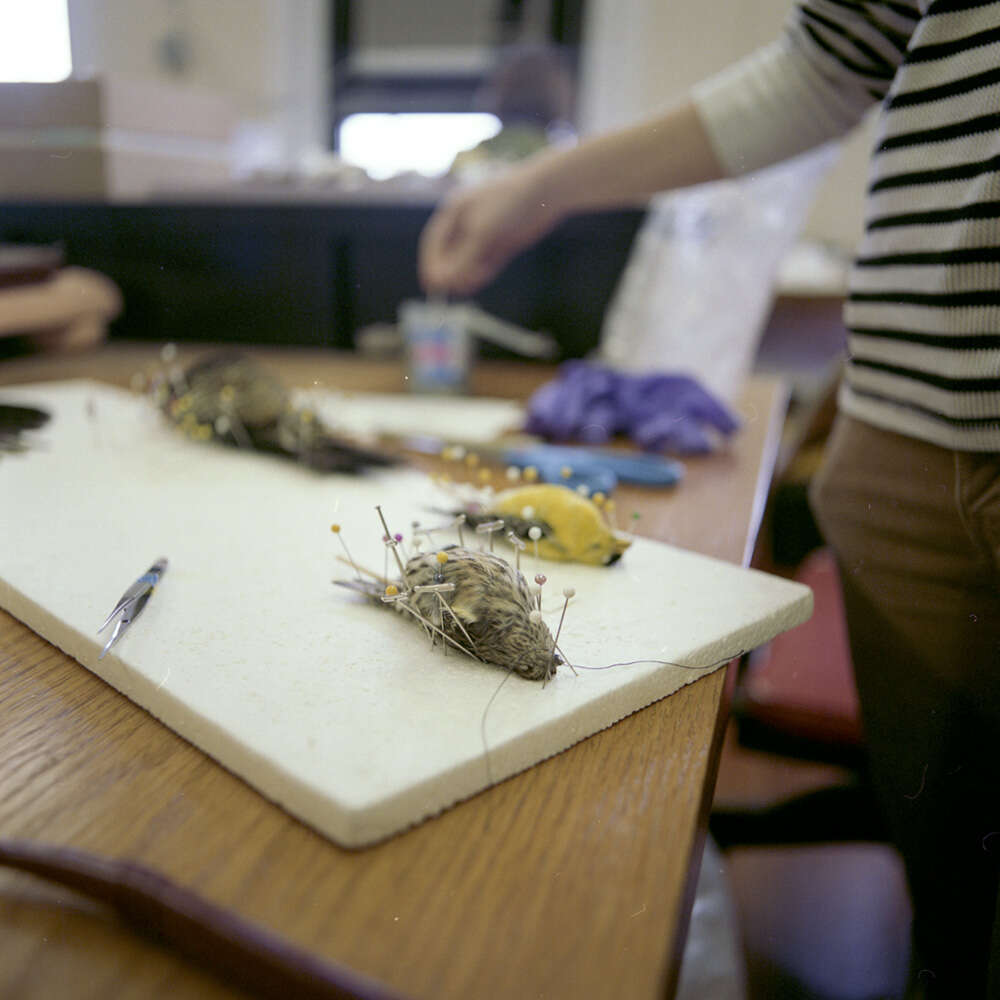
[(414, 84)]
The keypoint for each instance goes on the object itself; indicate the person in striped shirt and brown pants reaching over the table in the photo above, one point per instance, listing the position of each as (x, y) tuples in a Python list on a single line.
[(909, 497)]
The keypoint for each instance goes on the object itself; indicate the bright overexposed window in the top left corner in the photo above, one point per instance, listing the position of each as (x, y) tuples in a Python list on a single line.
[(34, 41)]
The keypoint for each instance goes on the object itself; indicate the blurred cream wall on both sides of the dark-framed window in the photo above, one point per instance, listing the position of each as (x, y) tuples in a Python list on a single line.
[(272, 59)]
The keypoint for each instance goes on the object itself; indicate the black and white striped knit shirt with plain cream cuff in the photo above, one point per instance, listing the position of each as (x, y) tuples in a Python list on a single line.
[(923, 310)]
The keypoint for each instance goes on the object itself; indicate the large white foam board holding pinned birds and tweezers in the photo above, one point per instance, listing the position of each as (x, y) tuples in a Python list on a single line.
[(335, 708)]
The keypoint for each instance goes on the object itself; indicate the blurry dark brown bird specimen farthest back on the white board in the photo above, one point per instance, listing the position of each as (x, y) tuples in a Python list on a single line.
[(230, 398)]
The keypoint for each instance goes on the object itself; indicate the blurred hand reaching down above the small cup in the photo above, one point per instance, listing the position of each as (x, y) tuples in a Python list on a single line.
[(476, 231)]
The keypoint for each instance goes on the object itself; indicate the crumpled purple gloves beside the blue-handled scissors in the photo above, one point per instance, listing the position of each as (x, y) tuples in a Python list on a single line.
[(660, 412)]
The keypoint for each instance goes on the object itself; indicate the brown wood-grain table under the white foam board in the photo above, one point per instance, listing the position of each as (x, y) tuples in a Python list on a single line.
[(573, 879)]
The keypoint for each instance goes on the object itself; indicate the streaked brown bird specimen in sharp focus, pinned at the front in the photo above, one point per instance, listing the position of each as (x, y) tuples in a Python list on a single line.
[(474, 601)]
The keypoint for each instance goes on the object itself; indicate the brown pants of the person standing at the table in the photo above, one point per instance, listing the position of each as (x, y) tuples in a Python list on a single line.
[(916, 530)]
